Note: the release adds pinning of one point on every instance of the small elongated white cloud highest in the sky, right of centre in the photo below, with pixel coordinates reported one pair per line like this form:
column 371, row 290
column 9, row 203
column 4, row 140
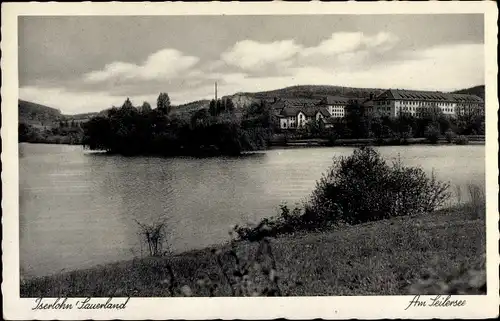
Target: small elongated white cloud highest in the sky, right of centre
column 345, row 42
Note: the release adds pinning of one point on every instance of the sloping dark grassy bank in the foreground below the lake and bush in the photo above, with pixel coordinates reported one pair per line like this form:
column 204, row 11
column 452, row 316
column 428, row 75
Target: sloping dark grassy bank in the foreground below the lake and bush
column 381, row 258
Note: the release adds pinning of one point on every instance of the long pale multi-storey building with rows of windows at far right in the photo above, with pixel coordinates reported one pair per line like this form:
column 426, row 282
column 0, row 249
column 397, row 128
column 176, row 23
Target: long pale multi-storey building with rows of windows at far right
column 394, row 102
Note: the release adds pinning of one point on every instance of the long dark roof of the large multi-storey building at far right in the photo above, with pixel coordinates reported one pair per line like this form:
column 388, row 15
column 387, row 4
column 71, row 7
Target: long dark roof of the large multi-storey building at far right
column 403, row 94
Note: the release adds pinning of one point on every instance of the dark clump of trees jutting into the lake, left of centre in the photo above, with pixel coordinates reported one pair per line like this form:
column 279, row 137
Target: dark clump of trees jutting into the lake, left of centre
column 217, row 130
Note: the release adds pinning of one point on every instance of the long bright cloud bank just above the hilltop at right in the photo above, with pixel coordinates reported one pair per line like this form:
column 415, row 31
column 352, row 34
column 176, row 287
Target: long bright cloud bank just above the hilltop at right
column 446, row 68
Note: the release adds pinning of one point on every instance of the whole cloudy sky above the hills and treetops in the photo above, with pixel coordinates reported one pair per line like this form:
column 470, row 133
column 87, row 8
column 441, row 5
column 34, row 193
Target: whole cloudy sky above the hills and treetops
column 84, row 64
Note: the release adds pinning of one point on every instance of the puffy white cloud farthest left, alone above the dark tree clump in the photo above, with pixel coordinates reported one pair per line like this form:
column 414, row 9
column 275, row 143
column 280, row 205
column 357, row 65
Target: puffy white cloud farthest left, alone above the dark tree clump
column 163, row 64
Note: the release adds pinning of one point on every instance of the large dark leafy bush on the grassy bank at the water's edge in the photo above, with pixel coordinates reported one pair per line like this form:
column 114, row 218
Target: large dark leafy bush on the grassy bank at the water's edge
column 363, row 187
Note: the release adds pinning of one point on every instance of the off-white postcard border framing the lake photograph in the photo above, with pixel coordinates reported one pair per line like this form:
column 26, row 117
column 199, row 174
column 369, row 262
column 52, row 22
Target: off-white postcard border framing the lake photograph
column 373, row 307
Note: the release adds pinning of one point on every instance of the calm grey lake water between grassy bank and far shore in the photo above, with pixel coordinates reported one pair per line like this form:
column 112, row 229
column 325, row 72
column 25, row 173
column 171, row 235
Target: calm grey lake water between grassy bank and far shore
column 77, row 208
